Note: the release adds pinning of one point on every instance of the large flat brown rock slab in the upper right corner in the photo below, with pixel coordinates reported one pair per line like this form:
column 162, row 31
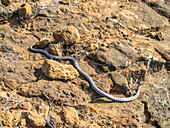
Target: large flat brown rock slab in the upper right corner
column 141, row 17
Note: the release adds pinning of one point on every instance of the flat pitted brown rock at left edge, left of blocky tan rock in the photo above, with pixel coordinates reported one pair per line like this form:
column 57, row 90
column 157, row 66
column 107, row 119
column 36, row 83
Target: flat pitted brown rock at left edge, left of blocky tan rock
column 14, row 73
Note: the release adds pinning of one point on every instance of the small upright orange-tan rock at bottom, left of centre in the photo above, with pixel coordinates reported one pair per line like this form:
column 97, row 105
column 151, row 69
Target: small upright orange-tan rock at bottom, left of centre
column 70, row 115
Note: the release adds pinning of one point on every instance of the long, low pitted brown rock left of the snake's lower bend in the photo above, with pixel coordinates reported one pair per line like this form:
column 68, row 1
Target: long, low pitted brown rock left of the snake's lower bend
column 61, row 94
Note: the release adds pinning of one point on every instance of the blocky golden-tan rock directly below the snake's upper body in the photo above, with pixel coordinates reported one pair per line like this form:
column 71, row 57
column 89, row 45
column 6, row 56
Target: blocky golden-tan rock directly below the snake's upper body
column 55, row 70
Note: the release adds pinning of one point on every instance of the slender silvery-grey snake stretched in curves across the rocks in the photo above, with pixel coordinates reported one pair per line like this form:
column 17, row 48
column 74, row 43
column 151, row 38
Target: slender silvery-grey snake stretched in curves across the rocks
column 87, row 77
